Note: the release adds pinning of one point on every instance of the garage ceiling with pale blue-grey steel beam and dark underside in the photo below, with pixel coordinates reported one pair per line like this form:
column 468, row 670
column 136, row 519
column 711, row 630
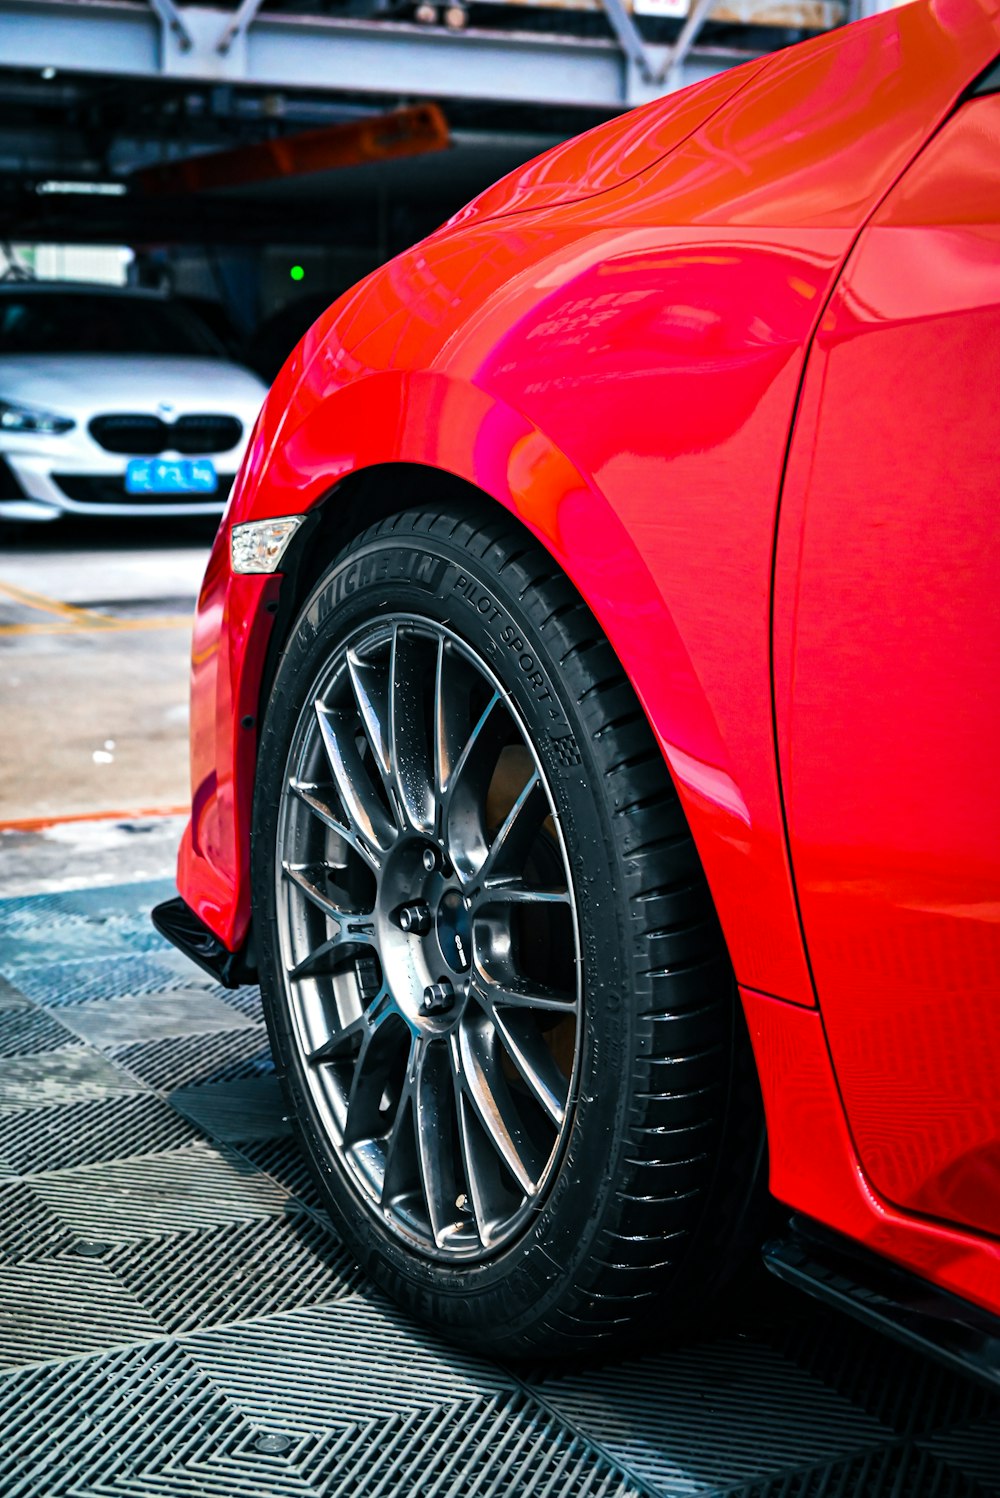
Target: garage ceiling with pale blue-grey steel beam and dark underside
column 97, row 92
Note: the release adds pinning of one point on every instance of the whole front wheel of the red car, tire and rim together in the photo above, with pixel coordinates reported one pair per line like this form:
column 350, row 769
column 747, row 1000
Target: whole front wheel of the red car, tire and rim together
column 496, row 986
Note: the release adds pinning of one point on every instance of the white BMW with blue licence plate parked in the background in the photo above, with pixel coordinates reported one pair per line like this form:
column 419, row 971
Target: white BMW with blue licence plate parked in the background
column 116, row 404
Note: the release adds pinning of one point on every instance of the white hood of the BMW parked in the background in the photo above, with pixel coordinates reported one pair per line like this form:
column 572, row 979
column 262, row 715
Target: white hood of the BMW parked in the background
column 86, row 384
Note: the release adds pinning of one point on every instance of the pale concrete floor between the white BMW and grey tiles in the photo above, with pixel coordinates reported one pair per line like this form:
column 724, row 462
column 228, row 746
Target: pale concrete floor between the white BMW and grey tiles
column 95, row 634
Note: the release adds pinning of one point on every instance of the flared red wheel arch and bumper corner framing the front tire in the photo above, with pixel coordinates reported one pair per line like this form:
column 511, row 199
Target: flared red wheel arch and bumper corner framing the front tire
column 459, row 429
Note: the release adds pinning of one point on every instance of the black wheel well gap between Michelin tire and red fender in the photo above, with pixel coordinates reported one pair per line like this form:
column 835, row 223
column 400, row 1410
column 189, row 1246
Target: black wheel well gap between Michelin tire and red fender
column 350, row 509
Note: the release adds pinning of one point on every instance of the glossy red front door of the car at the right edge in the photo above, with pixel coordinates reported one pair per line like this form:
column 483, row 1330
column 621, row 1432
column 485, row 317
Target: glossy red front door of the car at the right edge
column 887, row 667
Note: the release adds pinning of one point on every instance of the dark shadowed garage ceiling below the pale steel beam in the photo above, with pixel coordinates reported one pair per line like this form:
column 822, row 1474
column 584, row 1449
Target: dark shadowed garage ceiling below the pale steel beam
column 74, row 151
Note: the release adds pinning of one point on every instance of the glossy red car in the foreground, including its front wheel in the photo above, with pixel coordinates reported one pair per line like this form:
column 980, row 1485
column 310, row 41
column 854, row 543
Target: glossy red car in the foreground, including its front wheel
column 595, row 715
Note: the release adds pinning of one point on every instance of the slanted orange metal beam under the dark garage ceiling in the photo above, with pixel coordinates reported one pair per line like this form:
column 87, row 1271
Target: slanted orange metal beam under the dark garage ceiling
column 384, row 137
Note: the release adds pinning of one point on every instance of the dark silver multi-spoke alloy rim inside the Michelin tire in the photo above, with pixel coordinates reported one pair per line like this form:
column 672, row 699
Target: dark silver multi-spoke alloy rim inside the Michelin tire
column 429, row 938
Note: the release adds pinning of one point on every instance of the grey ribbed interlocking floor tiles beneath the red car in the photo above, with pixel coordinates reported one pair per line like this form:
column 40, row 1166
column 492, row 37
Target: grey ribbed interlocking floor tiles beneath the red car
column 179, row 1317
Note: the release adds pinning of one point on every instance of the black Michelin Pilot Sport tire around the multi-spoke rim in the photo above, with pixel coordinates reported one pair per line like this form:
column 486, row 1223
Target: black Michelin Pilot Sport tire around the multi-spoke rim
column 656, row 1196
